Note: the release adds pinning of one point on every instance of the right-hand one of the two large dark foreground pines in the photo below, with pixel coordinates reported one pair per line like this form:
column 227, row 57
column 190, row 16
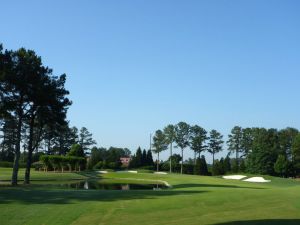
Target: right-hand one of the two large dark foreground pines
column 49, row 105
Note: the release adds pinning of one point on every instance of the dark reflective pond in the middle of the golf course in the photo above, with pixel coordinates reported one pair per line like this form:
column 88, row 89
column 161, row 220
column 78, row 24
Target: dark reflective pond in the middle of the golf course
column 98, row 184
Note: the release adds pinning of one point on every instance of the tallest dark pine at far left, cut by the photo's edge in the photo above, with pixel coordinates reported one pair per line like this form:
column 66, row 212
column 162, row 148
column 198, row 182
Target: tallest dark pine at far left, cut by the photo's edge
column 17, row 71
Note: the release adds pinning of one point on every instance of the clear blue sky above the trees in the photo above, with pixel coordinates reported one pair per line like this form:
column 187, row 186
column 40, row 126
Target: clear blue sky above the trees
column 135, row 66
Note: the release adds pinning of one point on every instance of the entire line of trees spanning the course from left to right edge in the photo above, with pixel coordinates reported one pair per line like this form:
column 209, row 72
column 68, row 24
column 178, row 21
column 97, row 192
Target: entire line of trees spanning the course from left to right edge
column 33, row 116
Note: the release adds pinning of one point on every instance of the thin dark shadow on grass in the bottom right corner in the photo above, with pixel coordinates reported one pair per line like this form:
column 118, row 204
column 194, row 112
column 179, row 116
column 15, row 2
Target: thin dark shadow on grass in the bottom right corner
column 264, row 222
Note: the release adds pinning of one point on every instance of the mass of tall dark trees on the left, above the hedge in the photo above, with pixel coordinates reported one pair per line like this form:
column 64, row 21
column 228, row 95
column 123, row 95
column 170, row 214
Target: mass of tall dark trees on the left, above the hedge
column 33, row 110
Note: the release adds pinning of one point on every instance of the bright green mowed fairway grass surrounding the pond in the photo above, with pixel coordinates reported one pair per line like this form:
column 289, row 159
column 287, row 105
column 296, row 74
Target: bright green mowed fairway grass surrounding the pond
column 192, row 200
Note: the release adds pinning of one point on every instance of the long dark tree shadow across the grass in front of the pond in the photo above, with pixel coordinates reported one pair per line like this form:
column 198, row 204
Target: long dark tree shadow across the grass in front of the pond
column 41, row 196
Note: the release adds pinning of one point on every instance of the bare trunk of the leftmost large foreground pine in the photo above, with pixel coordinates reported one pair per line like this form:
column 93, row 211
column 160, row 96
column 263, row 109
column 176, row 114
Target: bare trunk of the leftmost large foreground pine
column 14, row 179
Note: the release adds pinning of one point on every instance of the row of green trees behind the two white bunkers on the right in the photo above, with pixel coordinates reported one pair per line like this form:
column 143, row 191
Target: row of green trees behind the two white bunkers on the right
column 255, row 150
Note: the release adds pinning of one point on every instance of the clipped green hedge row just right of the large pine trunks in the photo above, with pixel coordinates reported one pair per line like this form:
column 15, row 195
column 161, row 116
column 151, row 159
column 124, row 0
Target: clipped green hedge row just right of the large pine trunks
column 58, row 162
